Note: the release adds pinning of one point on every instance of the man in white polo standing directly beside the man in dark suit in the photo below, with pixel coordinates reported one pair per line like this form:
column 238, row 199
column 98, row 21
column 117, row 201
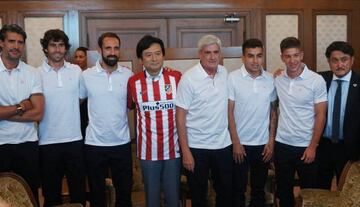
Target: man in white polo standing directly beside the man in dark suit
column 303, row 99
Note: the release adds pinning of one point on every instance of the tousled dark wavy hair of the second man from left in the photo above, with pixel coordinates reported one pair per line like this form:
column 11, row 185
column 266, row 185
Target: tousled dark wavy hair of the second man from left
column 55, row 35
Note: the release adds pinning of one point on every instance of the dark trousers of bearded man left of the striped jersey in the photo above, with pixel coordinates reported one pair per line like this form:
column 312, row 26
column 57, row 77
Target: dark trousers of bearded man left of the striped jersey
column 98, row 160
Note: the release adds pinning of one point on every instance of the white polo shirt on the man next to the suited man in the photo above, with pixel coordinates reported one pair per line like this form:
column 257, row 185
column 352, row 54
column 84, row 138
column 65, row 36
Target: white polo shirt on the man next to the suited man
column 298, row 97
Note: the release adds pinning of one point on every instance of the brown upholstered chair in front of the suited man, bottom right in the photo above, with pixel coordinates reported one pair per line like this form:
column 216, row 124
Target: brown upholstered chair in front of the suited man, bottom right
column 347, row 195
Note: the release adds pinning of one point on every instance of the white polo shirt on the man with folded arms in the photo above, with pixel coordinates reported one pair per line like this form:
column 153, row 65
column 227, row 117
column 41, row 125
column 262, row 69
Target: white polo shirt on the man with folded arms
column 16, row 86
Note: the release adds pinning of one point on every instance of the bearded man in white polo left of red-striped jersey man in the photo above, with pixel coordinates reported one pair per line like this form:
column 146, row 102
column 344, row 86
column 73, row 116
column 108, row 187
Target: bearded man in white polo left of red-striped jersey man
column 107, row 142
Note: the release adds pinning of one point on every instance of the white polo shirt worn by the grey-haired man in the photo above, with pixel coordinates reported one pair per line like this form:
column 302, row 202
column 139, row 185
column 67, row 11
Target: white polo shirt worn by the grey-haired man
column 206, row 102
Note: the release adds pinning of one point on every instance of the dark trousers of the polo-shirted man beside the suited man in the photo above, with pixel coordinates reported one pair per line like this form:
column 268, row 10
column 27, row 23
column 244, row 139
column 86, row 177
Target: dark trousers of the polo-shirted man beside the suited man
column 287, row 160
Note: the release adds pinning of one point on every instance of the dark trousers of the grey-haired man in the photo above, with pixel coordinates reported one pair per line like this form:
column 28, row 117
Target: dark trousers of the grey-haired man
column 219, row 163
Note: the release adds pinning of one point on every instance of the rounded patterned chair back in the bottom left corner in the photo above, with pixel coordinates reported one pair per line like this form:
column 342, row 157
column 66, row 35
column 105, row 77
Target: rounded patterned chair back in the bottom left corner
column 15, row 192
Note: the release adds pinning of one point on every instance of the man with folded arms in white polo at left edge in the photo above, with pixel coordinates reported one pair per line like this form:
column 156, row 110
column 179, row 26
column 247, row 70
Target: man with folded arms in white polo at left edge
column 21, row 105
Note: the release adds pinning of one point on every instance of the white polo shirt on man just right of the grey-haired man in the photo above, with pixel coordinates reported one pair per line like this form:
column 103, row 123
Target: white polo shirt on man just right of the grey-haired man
column 252, row 97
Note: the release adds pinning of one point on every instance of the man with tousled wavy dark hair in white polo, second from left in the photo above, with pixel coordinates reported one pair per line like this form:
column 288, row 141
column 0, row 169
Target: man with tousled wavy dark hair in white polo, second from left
column 61, row 145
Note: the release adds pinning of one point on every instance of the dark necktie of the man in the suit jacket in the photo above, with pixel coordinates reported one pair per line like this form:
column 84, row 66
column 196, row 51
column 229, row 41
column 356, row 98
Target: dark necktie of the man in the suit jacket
column 335, row 134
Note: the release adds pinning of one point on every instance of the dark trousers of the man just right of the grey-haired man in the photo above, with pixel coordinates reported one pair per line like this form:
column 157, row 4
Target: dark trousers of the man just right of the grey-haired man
column 258, row 175
